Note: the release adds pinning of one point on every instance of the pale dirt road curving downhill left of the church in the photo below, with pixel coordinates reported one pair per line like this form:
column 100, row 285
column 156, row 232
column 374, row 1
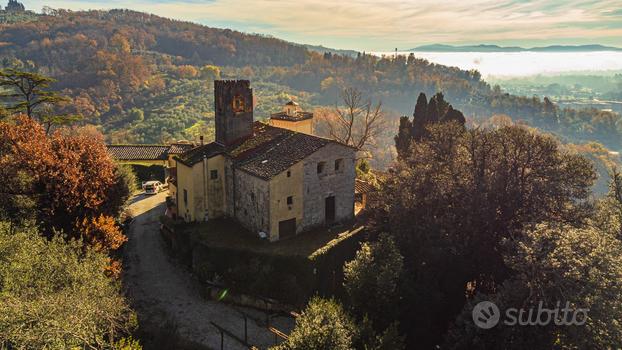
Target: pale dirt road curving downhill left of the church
column 162, row 291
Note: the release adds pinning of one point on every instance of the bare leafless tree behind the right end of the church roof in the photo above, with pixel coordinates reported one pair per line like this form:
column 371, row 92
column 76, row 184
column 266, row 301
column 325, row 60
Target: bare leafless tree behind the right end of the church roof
column 357, row 123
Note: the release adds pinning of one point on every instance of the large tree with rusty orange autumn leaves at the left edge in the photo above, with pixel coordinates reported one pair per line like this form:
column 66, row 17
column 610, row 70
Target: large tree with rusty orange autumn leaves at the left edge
column 67, row 175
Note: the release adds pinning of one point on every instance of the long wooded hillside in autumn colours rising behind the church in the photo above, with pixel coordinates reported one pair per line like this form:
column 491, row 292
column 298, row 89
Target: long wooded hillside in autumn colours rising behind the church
column 148, row 79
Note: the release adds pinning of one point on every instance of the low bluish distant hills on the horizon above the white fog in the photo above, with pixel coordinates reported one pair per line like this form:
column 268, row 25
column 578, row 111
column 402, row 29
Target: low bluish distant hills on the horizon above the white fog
column 497, row 48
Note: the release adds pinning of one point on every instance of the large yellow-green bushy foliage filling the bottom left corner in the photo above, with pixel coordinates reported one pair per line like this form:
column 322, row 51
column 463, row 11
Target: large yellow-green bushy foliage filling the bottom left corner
column 55, row 295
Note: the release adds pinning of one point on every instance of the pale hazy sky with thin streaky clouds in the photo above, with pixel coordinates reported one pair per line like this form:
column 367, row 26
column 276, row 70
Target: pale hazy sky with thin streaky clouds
column 382, row 25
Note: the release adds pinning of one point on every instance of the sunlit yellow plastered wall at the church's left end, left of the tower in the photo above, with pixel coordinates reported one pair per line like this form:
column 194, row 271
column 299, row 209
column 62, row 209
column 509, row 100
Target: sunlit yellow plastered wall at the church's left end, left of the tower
column 203, row 191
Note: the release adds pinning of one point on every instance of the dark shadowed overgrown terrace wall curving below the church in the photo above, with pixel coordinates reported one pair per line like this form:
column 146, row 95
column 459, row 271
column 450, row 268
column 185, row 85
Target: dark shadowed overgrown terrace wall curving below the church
column 289, row 279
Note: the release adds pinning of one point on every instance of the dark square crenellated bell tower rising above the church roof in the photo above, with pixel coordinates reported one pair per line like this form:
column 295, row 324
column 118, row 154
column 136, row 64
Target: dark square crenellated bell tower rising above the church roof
column 233, row 101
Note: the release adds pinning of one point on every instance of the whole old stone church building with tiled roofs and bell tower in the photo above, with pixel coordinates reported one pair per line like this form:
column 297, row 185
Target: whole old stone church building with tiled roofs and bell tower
column 275, row 178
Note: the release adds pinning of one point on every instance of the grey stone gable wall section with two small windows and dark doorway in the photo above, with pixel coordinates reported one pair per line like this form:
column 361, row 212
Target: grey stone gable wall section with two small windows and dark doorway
column 340, row 184
